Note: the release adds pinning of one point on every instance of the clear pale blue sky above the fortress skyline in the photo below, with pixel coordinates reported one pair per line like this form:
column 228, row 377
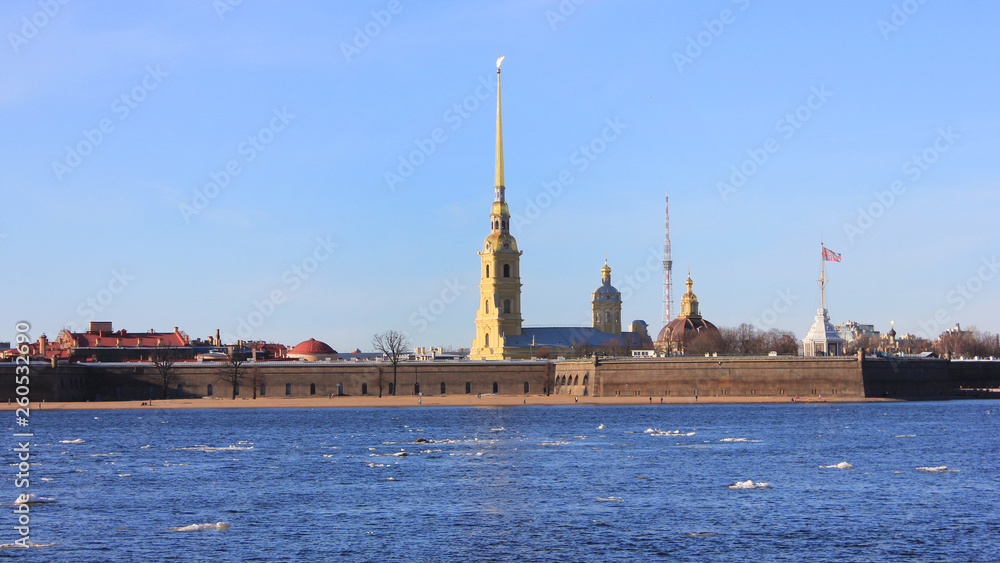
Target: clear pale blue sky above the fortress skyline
column 186, row 164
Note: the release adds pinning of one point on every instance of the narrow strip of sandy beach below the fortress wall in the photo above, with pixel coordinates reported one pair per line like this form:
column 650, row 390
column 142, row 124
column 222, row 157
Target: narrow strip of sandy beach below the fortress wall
column 428, row 401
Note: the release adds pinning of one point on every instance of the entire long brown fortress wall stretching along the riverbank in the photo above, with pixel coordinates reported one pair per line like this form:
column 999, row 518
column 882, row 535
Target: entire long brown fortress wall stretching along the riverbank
column 907, row 378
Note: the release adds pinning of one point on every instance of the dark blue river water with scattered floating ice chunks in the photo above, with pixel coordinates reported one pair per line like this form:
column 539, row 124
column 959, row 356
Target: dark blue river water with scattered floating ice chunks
column 822, row 482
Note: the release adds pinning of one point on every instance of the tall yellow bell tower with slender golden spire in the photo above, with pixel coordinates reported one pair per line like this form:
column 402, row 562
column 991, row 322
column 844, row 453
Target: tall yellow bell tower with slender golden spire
column 499, row 313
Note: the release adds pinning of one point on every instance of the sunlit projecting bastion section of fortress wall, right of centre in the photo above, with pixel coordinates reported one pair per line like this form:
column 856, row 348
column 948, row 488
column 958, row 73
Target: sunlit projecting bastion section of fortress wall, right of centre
column 717, row 376
